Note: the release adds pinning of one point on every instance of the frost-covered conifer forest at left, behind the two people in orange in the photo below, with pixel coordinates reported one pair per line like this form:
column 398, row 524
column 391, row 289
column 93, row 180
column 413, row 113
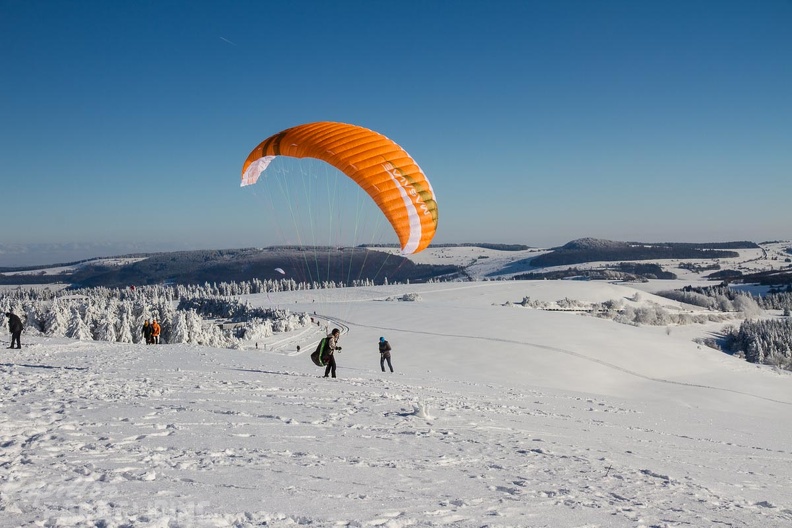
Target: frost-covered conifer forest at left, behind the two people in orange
column 185, row 313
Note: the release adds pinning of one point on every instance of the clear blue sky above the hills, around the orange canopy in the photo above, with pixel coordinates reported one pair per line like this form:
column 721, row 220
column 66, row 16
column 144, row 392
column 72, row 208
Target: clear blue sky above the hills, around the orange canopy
column 125, row 124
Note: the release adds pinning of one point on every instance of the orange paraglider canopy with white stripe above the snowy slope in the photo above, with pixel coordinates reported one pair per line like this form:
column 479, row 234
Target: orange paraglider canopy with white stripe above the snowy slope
column 377, row 164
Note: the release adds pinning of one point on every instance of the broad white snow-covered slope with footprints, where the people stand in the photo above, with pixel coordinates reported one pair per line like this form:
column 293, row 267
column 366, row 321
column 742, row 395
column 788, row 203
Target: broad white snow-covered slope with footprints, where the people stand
column 497, row 415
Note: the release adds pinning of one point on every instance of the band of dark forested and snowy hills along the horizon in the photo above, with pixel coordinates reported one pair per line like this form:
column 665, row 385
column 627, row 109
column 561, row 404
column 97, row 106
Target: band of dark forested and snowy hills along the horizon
column 617, row 261
